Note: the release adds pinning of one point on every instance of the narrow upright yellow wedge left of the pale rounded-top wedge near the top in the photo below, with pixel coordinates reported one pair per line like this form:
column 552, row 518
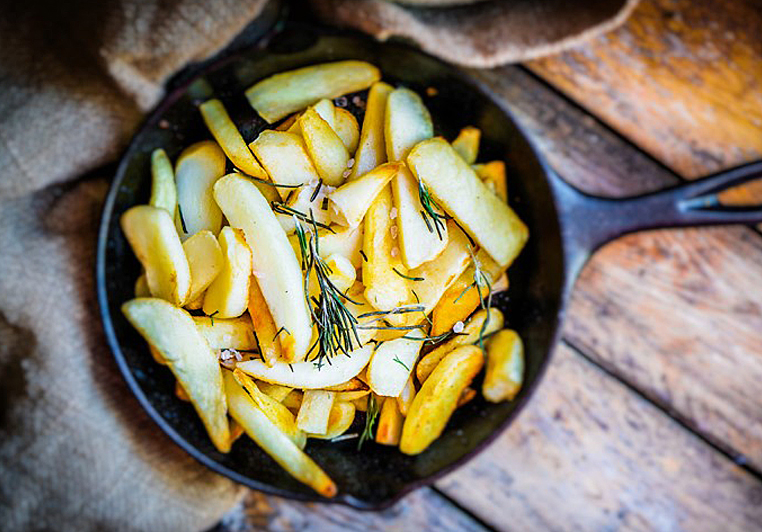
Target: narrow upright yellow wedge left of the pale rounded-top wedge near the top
column 371, row 151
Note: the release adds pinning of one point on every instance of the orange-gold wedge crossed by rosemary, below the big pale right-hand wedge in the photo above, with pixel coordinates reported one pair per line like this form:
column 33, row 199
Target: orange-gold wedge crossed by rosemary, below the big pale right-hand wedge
column 463, row 297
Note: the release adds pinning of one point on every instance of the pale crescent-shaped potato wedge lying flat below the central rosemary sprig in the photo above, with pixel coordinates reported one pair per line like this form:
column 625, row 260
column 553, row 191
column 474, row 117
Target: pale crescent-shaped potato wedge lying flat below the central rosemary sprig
column 305, row 375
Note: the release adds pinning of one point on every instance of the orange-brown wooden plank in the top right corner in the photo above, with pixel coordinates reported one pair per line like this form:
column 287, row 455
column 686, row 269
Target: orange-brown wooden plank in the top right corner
column 681, row 79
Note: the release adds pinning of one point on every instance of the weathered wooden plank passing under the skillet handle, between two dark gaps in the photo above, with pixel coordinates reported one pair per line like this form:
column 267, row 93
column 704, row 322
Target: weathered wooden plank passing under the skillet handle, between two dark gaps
column 653, row 329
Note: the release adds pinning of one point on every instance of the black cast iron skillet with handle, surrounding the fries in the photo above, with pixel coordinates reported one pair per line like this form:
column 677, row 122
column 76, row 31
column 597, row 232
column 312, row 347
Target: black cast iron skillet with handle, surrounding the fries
column 565, row 227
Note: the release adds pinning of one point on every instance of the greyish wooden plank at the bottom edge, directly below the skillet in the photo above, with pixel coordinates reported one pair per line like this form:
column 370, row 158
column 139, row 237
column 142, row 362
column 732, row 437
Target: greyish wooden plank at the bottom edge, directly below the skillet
column 421, row 510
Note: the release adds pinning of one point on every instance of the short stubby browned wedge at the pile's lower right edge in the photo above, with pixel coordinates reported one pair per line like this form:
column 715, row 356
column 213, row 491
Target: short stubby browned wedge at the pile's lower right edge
column 505, row 367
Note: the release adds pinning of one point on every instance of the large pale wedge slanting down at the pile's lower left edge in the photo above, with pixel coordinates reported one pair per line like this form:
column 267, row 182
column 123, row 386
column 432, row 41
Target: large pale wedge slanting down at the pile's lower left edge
column 172, row 332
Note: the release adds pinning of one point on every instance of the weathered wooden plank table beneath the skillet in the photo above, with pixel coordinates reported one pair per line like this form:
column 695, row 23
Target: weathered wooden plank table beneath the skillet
column 650, row 417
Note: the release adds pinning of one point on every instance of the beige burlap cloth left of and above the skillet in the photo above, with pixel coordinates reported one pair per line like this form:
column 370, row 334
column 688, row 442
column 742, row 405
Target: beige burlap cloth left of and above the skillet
column 76, row 450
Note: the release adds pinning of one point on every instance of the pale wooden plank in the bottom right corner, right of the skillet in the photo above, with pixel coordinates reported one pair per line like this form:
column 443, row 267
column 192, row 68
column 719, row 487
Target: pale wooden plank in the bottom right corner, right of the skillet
column 588, row 454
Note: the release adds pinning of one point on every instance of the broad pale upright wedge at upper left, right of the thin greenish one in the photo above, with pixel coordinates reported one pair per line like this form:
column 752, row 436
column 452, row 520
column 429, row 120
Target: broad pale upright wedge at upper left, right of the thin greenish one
column 196, row 171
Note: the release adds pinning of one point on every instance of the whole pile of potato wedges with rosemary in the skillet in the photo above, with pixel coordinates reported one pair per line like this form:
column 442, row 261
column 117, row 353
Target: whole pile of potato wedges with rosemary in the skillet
column 327, row 268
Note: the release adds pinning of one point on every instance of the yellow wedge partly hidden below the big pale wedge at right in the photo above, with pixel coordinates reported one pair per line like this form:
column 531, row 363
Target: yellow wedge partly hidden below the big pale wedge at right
column 436, row 275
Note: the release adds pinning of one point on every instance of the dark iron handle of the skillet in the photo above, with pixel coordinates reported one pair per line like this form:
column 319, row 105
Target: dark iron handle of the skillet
column 588, row 222
